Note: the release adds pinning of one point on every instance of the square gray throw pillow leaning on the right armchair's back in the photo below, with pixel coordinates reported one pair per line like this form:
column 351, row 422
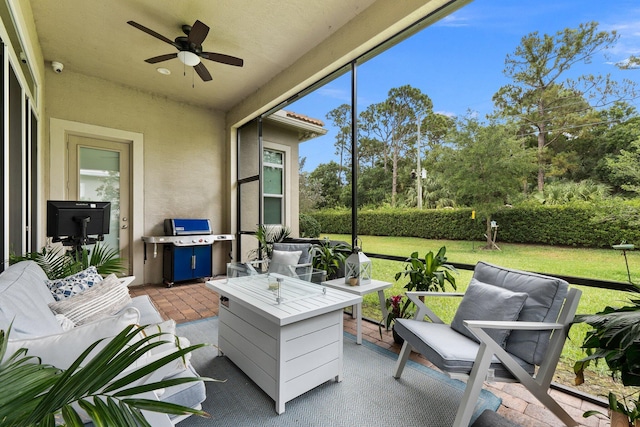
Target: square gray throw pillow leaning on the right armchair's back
column 487, row 302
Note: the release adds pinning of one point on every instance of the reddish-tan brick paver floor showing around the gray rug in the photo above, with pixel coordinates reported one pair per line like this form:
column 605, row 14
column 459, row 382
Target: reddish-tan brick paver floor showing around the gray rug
column 193, row 301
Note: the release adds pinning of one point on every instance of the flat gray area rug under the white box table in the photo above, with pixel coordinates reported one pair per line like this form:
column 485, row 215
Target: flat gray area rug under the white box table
column 367, row 396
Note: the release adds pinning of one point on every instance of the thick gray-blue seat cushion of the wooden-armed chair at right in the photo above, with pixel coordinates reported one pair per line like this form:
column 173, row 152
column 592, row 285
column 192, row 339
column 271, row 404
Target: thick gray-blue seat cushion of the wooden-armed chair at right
column 447, row 349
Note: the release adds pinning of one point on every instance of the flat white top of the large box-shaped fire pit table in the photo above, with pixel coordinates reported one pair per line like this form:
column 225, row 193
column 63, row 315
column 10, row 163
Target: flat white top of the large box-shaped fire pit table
column 299, row 300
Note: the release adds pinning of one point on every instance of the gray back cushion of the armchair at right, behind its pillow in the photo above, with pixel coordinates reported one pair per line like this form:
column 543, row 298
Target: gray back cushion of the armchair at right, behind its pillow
column 546, row 296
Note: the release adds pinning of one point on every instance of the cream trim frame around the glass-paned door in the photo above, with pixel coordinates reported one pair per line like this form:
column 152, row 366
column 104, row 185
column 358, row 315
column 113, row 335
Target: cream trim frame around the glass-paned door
column 58, row 172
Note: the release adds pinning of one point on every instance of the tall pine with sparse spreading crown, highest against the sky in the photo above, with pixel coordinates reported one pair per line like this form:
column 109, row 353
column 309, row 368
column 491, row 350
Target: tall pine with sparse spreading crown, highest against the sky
column 542, row 101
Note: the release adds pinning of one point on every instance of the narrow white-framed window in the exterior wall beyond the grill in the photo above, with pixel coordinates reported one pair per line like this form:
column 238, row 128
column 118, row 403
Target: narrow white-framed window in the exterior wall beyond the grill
column 273, row 186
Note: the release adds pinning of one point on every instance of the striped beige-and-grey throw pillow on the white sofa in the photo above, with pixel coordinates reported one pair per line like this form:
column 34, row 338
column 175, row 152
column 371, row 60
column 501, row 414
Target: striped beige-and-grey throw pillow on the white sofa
column 104, row 299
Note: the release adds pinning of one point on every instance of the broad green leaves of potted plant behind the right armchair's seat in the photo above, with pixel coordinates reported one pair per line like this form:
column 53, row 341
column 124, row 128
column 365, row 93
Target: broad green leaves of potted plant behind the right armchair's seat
column 430, row 275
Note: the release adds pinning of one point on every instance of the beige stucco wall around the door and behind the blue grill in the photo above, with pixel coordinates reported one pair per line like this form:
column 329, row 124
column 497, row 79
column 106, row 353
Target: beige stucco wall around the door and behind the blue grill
column 185, row 152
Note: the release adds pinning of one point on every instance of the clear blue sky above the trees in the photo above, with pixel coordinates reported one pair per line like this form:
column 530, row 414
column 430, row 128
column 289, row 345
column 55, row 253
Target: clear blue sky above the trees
column 458, row 61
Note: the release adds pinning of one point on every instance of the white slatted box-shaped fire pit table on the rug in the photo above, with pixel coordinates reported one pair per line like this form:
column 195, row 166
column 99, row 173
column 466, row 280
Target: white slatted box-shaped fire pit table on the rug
column 284, row 333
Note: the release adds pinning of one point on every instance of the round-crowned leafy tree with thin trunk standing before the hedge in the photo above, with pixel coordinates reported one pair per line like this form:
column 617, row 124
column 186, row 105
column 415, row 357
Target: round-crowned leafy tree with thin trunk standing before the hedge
column 484, row 165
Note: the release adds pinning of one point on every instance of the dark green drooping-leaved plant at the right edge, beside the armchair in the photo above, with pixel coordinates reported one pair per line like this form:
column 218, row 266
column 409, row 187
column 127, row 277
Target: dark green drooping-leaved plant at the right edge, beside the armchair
column 614, row 338
